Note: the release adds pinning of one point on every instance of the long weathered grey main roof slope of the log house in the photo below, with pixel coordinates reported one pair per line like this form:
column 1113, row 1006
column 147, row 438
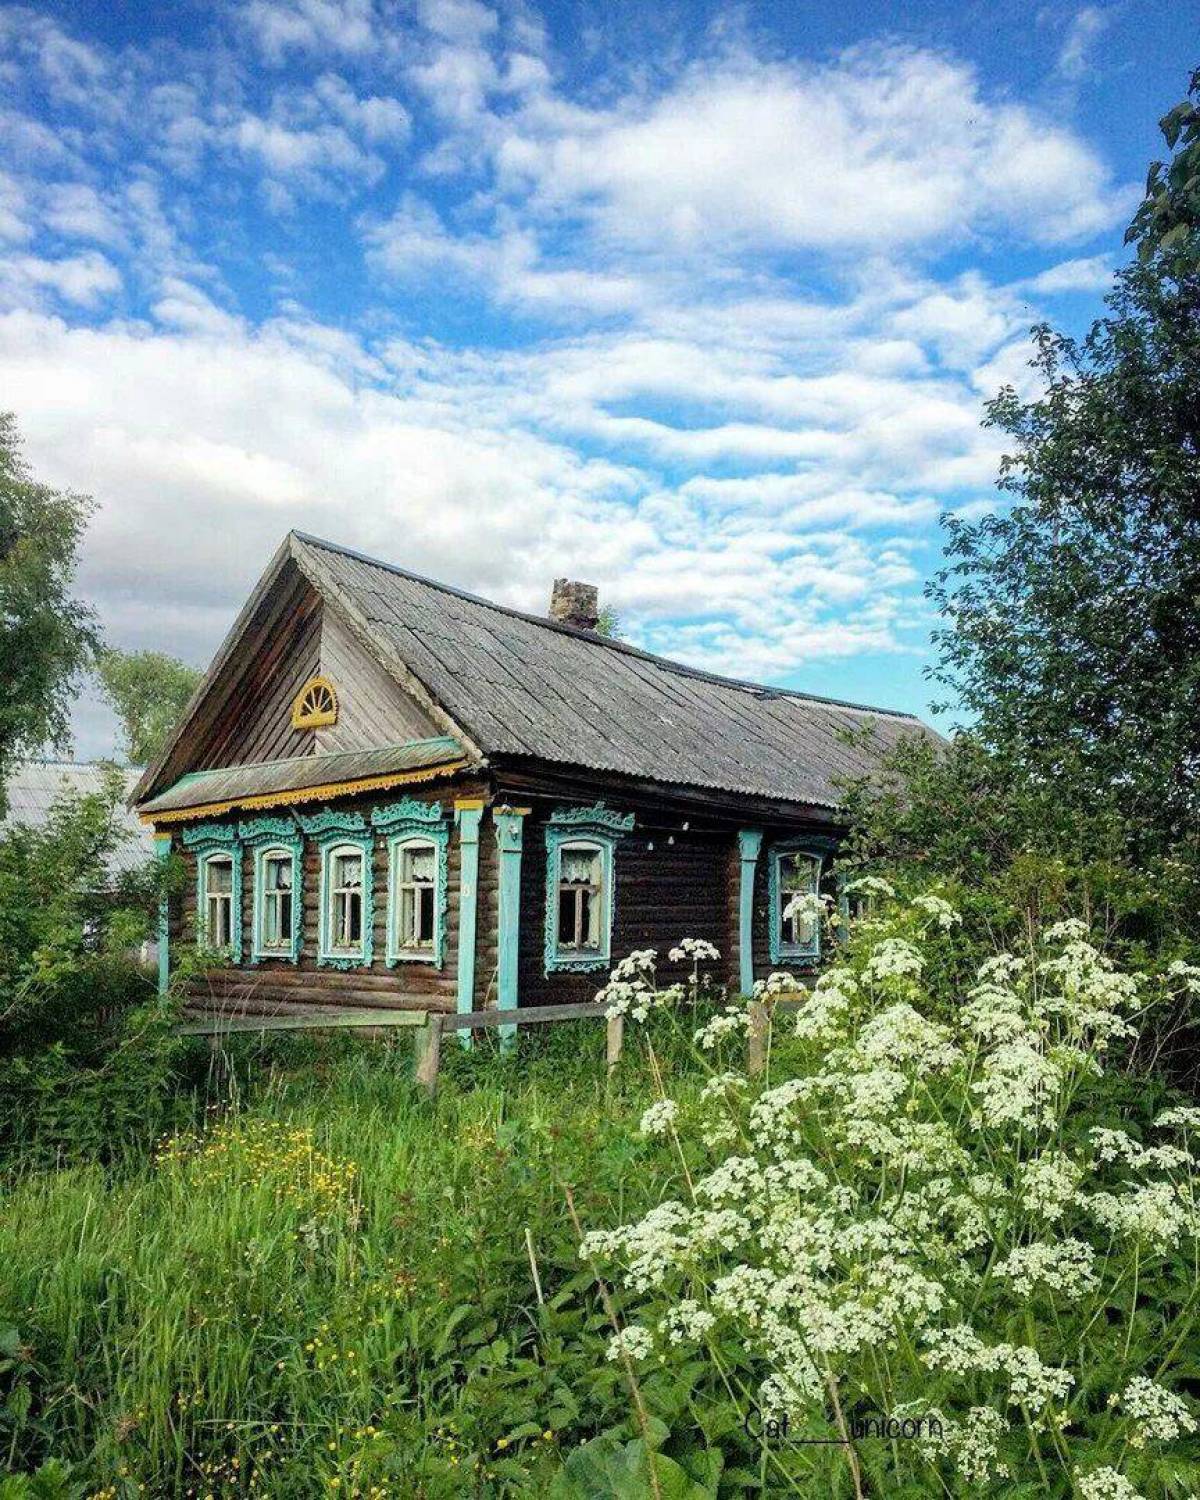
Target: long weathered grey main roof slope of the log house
column 523, row 686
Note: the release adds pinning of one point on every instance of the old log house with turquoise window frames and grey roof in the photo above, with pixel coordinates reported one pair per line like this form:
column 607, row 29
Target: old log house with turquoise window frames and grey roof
column 394, row 793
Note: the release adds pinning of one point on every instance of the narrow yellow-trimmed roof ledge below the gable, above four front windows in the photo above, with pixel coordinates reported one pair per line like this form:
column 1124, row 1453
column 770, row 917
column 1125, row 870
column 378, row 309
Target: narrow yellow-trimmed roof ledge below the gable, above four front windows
column 278, row 782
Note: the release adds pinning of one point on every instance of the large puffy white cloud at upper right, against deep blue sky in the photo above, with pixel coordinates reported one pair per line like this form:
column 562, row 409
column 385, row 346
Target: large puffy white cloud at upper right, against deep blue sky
column 886, row 148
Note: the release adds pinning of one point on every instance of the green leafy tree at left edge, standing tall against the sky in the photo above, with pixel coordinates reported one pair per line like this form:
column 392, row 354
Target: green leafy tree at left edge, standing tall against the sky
column 47, row 638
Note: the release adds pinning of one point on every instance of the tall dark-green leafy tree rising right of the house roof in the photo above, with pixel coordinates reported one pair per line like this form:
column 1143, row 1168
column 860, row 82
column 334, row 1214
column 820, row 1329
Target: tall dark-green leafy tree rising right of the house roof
column 1072, row 629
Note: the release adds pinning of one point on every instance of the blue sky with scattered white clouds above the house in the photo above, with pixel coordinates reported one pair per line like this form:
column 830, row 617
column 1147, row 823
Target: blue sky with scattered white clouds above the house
column 697, row 302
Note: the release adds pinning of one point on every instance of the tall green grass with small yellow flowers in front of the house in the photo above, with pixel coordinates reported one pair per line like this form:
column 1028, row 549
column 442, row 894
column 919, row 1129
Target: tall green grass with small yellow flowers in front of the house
column 329, row 1288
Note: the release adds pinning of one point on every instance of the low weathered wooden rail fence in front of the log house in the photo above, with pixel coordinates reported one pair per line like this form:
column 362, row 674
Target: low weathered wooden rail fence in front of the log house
column 431, row 1027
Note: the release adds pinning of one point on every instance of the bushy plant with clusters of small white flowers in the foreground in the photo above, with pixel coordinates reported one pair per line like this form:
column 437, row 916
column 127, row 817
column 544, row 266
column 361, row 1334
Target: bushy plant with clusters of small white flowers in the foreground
column 929, row 1211
